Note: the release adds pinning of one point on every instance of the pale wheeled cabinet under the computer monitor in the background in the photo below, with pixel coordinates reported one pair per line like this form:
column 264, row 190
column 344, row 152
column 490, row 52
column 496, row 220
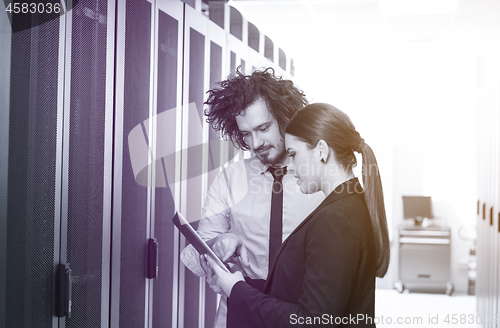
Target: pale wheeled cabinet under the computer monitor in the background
column 424, row 257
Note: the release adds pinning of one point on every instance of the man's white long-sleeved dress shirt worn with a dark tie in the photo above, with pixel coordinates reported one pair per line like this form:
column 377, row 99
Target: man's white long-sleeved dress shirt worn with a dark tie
column 239, row 201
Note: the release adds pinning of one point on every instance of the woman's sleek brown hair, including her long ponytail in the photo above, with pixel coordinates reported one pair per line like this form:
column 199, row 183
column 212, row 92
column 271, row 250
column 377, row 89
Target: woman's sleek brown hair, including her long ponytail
column 319, row 121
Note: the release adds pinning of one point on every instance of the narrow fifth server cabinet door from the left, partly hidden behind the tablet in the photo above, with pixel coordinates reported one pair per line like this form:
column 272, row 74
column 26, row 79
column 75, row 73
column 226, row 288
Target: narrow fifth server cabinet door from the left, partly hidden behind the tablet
column 194, row 157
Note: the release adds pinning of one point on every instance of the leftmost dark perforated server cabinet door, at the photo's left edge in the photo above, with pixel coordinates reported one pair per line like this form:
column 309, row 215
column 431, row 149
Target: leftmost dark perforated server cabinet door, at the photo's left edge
column 30, row 145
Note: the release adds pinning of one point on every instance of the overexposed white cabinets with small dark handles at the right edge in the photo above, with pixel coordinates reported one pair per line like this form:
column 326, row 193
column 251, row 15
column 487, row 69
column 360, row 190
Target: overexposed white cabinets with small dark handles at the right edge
column 488, row 212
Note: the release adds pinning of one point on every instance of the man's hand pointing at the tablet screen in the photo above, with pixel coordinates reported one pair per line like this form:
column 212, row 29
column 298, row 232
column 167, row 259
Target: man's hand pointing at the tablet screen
column 228, row 247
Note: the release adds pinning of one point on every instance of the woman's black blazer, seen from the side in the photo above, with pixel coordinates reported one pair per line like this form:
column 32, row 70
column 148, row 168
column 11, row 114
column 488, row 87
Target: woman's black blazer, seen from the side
column 323, row 274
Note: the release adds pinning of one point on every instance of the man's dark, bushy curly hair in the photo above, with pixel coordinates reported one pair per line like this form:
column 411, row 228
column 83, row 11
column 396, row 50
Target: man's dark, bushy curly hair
column 239, row 91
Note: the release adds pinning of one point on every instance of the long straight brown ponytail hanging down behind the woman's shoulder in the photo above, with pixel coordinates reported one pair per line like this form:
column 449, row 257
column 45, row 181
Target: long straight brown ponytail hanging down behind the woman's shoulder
column 374, row 200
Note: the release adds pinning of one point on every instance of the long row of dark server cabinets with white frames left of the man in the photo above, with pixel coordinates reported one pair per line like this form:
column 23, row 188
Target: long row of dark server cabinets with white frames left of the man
column 74, row 207
